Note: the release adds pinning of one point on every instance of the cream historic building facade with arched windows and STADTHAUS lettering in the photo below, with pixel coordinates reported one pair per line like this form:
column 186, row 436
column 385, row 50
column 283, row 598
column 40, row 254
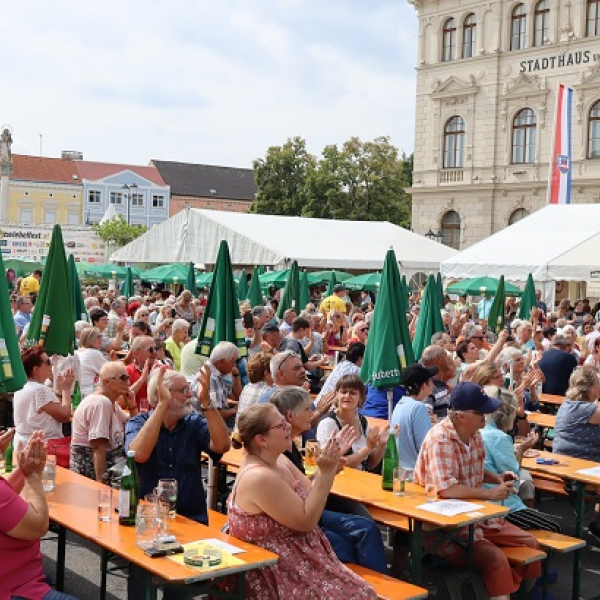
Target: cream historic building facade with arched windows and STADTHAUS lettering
column 487, row 79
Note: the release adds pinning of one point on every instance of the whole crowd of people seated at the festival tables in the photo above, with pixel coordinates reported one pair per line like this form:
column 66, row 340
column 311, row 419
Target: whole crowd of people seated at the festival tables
column 459, row 416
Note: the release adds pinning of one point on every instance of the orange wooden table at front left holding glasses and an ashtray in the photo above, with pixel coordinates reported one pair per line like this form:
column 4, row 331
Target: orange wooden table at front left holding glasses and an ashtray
column 74, row 506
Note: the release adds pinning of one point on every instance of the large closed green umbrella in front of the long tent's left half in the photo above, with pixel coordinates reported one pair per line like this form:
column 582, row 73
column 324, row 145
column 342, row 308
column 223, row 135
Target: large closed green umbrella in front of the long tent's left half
column 221, row 321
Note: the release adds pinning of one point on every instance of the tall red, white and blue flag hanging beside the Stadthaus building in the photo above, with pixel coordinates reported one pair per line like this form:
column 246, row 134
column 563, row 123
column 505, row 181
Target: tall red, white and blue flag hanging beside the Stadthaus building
column 559, row 188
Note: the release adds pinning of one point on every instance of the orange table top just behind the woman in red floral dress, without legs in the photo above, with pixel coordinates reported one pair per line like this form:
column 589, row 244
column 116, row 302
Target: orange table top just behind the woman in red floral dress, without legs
column 366, row 488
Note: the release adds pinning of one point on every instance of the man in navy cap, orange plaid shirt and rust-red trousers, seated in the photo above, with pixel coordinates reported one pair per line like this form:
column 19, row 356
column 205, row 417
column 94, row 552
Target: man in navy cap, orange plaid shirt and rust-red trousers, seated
column 451, row 460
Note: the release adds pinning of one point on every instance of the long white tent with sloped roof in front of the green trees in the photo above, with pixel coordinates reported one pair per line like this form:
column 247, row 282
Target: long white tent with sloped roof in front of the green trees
column 195, row 234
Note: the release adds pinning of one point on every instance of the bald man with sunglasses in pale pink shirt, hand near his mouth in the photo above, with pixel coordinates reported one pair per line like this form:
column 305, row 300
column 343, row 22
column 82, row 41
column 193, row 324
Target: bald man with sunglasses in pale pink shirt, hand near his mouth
column 99, row 423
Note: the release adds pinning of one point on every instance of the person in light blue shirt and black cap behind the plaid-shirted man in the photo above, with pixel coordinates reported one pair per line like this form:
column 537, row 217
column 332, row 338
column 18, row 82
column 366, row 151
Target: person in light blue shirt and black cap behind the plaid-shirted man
column 411, row 415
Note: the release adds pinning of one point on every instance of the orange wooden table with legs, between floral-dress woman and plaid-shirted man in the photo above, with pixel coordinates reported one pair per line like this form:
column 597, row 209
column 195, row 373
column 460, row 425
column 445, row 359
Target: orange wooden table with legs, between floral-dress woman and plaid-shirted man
column 366, row 488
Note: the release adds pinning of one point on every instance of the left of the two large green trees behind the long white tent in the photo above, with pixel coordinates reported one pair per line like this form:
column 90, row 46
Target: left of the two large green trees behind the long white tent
column 281, row 178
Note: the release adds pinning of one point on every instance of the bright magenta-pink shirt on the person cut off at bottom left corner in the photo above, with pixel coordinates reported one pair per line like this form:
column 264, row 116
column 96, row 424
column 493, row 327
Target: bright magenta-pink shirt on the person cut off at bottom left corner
column 21, row 569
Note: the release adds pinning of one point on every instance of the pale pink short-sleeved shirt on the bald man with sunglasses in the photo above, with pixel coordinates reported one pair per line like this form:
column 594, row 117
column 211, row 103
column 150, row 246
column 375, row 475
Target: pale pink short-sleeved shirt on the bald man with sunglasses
column 99, row 418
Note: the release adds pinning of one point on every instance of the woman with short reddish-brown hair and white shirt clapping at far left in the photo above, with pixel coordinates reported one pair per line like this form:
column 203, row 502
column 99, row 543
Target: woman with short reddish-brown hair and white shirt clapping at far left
column 36, row 407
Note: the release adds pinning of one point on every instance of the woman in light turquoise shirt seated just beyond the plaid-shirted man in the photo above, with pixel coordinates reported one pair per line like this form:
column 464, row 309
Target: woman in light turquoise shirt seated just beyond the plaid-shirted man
column 501, row 455
